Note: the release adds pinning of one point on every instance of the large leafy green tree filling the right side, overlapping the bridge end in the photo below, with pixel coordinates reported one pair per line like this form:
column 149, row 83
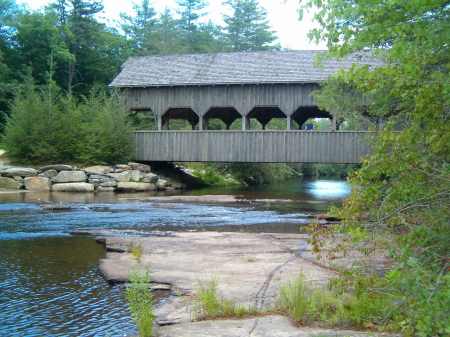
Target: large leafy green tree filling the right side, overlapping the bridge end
column 401, row 207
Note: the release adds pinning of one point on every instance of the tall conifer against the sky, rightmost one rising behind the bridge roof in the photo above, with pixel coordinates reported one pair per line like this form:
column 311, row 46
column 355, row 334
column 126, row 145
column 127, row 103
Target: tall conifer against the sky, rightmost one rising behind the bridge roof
column 248, row 28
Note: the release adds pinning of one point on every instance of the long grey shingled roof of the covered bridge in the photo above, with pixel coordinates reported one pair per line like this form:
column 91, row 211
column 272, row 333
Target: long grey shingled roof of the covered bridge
column 265, row 67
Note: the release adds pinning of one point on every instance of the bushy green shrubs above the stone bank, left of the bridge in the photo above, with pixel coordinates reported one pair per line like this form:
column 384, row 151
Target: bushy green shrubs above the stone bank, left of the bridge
column 45, row 126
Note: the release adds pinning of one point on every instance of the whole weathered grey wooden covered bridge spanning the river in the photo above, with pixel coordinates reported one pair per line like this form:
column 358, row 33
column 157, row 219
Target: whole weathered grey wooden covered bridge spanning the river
column 235, row 86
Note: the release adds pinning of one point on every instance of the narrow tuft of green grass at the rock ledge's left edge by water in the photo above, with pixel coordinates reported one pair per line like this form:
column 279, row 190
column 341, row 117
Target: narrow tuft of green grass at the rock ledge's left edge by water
column 140, row 300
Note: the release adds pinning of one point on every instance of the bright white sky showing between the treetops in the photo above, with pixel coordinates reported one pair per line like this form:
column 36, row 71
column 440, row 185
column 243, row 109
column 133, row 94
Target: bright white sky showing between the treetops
column 282, row 15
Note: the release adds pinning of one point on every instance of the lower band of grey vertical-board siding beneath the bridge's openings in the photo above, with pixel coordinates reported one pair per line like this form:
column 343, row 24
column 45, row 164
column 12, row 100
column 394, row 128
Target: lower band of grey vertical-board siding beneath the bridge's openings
column 251, row 146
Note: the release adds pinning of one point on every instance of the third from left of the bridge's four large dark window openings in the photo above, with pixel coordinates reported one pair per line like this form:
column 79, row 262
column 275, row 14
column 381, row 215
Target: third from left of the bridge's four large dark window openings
column 268, row 118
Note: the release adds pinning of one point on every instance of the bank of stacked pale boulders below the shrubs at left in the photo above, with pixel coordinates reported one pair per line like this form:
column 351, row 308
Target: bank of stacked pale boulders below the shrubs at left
column 131, row 177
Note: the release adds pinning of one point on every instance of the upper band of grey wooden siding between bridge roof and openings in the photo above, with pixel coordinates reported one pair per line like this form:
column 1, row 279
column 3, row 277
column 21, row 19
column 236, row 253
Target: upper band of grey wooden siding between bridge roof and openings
column 288, row 97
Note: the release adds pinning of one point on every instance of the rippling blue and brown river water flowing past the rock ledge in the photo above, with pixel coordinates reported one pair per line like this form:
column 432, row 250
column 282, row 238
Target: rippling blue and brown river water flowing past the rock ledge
column 50, row 284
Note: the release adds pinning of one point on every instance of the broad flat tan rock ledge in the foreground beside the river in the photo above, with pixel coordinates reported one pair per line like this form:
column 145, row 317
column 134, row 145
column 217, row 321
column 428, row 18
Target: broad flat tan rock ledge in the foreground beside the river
column 249, row 268
